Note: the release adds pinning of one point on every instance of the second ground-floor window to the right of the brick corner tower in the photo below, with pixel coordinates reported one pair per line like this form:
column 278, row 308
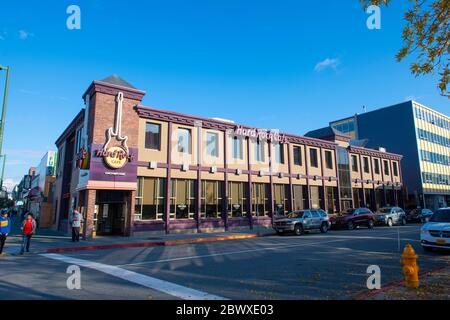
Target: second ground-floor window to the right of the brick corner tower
column 182, row 199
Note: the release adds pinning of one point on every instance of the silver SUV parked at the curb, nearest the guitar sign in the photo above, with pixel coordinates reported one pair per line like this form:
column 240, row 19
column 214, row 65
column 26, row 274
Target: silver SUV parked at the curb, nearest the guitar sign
column 304, row 220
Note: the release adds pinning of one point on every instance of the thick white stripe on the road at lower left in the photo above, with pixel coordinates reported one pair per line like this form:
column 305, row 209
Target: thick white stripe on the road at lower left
column 140, row 279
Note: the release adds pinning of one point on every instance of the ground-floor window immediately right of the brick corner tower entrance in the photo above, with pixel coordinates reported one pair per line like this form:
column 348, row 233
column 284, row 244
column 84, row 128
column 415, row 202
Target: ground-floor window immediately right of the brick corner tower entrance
column 150, row 196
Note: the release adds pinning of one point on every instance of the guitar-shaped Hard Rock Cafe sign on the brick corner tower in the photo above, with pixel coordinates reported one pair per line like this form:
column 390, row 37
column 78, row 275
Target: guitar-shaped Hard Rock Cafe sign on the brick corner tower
column 117, row 156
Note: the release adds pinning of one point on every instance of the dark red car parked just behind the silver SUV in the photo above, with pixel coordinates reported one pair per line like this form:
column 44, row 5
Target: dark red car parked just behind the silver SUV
column 353, row 218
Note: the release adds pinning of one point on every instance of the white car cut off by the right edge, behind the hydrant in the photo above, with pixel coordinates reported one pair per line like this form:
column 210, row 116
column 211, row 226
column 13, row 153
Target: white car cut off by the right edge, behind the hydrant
column 435, row 234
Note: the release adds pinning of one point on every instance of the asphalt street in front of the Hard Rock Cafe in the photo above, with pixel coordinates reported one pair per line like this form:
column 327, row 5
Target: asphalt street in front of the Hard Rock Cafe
column 313, row 266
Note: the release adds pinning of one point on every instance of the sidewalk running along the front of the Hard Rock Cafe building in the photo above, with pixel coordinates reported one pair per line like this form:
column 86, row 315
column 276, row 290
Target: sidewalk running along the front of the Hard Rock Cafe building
column 47, row 241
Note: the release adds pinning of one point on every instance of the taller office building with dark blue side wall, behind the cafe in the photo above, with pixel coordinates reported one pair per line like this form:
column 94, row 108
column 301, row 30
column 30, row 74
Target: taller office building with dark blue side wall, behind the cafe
column 422, row 136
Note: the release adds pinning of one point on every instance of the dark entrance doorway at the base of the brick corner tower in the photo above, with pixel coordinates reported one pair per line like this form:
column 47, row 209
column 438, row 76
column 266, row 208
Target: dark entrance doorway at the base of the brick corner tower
column 111, row 220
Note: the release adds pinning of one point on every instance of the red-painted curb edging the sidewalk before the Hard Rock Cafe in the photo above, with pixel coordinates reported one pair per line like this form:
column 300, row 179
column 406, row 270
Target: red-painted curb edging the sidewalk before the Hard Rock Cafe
column 154, row 243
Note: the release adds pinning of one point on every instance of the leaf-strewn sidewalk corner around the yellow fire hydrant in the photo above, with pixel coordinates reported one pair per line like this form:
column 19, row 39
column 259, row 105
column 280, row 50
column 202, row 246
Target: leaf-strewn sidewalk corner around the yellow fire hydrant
column 434, row 285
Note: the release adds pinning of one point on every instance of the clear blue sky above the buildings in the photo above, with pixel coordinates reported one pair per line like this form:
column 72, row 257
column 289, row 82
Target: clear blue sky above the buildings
column 293, row 65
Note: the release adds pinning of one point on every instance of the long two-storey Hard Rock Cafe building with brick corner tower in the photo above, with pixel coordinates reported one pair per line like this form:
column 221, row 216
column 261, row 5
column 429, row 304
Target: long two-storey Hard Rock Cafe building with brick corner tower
column 129, row 168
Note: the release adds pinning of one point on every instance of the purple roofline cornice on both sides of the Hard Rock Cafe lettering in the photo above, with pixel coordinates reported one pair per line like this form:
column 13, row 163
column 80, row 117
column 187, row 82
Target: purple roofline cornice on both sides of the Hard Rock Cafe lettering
column 165, row 115
